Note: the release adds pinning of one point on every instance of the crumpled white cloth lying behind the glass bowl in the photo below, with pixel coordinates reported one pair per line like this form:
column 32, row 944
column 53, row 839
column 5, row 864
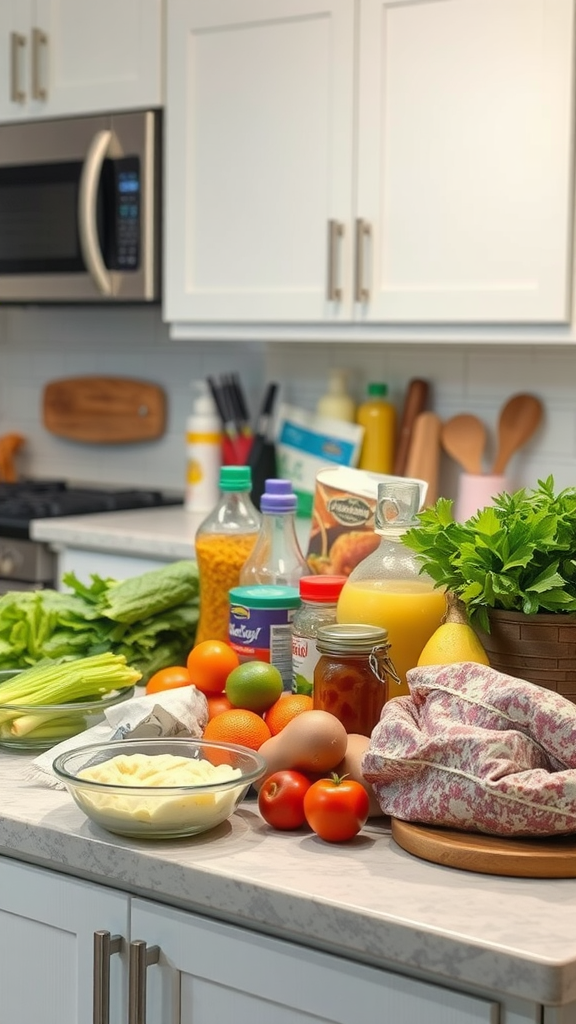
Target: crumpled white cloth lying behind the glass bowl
column 182, row 712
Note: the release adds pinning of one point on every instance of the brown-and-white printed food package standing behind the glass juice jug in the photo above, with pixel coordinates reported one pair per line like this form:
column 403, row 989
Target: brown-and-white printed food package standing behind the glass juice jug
column 343, row 520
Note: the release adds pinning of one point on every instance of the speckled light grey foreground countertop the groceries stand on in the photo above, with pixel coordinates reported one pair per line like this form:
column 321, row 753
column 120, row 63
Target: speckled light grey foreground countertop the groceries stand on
column 366, row 900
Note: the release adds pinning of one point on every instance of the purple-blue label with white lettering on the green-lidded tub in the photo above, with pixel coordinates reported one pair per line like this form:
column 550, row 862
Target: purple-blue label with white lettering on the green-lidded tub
column 264, row 635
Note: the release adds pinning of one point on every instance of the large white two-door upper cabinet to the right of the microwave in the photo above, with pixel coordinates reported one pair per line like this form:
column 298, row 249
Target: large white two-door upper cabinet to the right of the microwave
column 369, row 162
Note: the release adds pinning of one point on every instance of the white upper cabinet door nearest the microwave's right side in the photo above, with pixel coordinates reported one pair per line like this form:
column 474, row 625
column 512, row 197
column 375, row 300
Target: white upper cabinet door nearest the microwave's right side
column 260, row 131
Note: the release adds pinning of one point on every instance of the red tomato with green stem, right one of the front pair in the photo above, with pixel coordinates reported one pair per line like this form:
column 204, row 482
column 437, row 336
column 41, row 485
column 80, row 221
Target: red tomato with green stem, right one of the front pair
column 337, row 808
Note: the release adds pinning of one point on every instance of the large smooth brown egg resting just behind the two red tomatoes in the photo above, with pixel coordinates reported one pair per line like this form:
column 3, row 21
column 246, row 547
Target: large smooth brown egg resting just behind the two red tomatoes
column 315, row 743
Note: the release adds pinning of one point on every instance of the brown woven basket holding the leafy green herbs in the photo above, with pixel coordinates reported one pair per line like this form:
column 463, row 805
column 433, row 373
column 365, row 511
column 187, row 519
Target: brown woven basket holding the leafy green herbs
column 541, row 649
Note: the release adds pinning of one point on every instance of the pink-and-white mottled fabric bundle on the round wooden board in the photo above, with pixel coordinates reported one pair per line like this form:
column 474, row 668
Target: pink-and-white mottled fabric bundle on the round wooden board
column 477, row 750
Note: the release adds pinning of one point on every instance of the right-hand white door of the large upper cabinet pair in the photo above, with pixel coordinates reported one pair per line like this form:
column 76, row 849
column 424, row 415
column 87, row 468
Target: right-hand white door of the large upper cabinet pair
column 466, row 124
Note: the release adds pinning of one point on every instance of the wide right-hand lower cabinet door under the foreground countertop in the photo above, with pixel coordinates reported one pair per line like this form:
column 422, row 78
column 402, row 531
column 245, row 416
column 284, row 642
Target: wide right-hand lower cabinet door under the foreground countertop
column 213, row 972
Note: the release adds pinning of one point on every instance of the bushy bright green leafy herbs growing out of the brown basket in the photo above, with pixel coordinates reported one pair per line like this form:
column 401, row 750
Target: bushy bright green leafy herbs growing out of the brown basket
column 519, row 554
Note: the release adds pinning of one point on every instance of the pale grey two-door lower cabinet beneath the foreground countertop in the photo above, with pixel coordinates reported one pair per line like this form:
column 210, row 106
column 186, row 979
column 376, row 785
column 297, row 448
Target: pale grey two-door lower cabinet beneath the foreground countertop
column 199, row 972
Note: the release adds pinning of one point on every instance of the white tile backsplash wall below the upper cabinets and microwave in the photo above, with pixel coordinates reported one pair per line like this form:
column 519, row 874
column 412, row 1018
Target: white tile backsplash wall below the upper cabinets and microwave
column 38, row 345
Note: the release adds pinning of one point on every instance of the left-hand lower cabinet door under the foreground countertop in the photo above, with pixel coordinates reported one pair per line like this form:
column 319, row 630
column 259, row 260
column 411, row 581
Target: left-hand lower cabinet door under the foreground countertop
column 48, row 923
